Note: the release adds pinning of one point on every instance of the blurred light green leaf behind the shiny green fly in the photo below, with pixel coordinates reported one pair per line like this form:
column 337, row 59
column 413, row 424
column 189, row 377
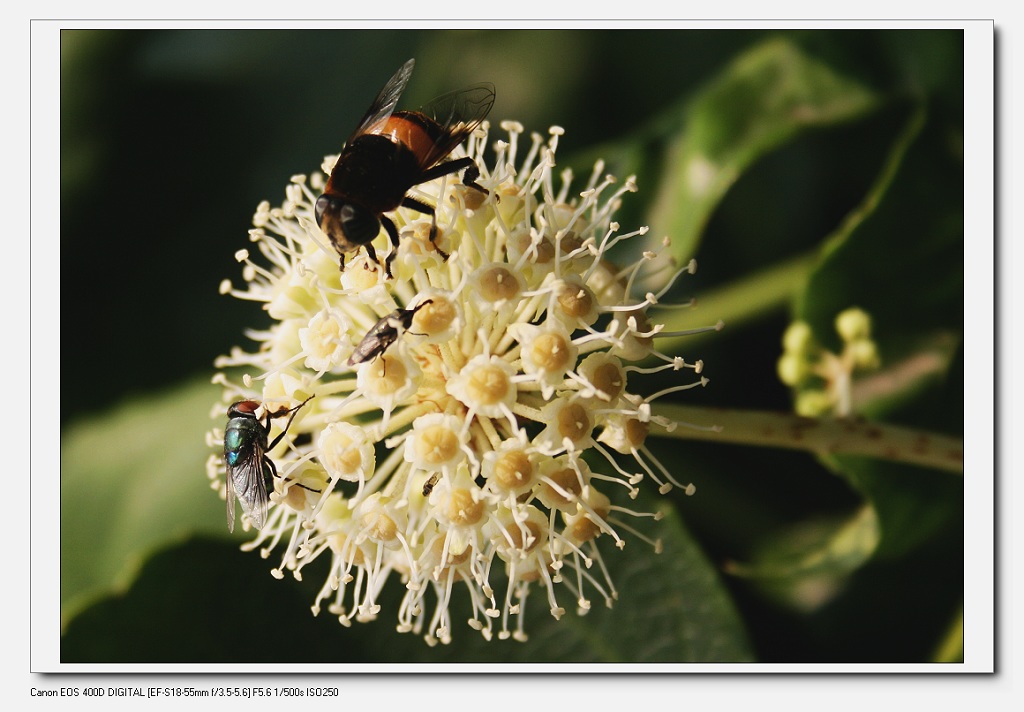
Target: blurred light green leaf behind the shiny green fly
column 132, row 482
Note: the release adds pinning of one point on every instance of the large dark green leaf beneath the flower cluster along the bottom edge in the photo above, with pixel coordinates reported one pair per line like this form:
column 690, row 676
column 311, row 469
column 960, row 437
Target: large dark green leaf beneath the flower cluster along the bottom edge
column 206, row 602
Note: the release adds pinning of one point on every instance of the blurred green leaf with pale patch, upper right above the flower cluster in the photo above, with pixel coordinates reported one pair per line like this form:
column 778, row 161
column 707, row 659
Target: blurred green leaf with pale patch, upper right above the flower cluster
column 764, row 99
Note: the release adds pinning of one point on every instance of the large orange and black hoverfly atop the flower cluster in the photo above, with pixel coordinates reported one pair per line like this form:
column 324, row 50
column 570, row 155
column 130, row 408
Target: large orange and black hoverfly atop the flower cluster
column 392, row 152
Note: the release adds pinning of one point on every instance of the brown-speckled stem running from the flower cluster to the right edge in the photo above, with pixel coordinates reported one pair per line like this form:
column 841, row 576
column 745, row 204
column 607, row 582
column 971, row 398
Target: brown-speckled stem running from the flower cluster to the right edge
column 820, row 436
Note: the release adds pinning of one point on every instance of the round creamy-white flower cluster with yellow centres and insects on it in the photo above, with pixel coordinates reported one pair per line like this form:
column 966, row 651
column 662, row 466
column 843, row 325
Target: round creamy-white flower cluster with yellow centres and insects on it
column 485, row 440
